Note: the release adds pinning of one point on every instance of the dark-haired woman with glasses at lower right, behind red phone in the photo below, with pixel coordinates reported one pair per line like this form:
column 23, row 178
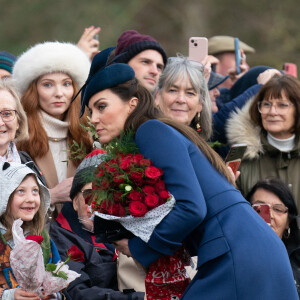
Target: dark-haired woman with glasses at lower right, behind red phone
column 283, row 216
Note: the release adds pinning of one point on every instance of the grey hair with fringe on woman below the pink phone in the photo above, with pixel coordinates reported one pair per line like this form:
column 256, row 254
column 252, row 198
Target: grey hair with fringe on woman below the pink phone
column 181, row 68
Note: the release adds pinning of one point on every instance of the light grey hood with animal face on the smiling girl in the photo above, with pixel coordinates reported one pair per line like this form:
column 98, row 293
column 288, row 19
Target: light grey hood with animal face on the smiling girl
column 11, row 176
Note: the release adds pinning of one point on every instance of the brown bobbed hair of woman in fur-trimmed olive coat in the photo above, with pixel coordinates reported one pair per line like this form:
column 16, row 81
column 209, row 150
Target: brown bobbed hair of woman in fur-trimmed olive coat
column 275, row 88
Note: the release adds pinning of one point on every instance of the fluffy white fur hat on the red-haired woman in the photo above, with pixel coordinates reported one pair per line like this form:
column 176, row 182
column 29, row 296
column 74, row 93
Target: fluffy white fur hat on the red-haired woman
column 50, row 57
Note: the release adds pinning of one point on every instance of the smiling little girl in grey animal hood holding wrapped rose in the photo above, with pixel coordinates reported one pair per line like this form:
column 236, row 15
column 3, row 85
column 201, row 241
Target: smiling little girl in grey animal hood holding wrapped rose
column 23, row 196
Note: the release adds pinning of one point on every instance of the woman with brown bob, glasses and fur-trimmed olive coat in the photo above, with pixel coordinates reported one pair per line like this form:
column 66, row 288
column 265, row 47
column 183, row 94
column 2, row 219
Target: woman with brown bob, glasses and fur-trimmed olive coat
column 270, row 126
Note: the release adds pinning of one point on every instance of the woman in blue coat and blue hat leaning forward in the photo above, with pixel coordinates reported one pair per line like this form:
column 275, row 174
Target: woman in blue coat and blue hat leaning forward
column 210, row 216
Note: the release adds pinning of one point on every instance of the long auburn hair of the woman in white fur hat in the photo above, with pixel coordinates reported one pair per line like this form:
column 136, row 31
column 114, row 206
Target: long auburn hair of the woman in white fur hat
column 37, row 145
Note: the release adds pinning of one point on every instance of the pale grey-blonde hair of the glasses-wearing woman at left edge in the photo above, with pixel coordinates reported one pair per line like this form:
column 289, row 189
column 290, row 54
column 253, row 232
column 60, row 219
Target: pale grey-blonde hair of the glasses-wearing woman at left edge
column 22, row 132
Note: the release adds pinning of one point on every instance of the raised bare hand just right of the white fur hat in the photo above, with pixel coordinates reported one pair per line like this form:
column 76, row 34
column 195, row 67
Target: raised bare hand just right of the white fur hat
column 87, row 43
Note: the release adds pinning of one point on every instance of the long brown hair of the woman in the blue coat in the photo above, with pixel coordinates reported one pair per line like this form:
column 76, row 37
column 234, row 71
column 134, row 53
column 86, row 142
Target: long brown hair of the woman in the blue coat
column 145, row 110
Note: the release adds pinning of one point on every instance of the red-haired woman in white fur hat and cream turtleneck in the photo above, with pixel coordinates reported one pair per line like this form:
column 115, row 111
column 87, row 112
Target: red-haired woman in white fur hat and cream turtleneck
column 48, row 75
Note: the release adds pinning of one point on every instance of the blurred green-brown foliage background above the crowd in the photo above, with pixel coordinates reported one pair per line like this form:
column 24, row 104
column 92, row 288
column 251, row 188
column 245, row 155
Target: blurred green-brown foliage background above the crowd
column 270, row 26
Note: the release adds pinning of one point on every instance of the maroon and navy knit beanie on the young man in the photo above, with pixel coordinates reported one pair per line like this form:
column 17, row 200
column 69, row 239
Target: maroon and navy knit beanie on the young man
column 131, row 43
